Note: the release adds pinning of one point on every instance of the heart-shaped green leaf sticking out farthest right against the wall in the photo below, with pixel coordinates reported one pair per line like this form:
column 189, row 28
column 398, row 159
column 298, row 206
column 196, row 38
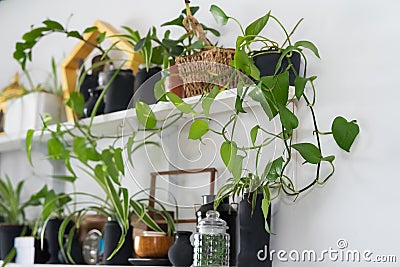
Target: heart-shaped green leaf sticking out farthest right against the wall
column 344, row 132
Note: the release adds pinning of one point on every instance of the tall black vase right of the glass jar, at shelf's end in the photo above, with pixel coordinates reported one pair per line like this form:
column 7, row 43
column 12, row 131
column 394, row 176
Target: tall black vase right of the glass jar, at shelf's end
column 253, row 237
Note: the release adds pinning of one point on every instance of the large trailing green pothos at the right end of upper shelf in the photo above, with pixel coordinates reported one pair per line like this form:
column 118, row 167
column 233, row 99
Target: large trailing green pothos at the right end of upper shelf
column 272, row 93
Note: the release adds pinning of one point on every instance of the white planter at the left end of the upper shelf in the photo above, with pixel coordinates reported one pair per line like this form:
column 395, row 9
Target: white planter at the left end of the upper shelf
column 24, row 113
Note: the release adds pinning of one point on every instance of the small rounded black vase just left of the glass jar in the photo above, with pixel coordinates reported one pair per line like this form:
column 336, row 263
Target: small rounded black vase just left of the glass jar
column 181, row 252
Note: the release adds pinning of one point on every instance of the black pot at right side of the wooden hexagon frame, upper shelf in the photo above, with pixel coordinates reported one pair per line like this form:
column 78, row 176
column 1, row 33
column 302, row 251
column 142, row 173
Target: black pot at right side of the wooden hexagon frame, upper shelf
column 120, row 91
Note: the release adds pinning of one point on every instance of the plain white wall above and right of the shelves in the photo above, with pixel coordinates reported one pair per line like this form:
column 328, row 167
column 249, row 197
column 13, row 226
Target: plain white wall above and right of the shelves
column 357, row 79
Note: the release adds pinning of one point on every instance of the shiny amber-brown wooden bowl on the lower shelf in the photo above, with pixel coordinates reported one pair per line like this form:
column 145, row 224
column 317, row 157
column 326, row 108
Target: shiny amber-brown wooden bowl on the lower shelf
column 152, row 246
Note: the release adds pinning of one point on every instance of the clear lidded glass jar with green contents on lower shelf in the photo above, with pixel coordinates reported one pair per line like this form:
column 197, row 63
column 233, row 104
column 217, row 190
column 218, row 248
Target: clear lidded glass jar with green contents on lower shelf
column 211, row 242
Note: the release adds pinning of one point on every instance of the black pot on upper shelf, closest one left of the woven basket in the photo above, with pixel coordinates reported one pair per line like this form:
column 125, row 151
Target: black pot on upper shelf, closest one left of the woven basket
column 144, row 84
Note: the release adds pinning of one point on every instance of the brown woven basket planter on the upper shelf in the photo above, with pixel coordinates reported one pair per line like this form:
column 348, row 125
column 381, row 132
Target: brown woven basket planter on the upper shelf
column 202, row 70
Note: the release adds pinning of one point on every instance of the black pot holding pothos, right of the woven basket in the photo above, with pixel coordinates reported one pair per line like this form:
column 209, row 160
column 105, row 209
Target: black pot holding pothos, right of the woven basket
column 266, row 63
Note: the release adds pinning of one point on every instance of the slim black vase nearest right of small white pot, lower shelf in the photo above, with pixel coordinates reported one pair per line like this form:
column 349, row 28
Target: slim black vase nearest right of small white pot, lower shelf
column 52, row 229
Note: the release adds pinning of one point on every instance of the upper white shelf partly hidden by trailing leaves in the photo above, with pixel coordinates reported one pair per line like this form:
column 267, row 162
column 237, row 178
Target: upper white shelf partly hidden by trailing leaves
column 112, row 123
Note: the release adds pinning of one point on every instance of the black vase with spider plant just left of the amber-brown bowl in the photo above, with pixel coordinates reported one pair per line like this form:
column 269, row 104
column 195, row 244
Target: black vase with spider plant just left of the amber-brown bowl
column 111, row 235
